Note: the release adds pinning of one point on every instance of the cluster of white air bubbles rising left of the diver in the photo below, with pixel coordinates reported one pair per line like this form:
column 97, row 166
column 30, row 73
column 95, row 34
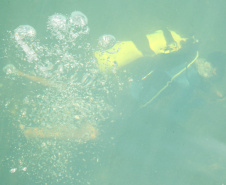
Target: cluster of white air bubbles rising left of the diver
column 72, row 92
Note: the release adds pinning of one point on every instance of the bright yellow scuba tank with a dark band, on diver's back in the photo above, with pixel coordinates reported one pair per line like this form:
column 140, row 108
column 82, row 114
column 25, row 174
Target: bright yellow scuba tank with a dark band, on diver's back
column 123, row 53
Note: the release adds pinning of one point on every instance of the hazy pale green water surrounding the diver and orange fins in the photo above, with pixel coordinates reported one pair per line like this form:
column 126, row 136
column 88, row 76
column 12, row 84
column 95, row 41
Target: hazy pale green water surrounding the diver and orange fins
column 178, row 139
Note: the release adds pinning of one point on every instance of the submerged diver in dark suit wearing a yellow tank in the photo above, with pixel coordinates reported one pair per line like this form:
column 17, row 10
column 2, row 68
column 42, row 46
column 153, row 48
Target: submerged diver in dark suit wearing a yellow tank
column 166, row 68
